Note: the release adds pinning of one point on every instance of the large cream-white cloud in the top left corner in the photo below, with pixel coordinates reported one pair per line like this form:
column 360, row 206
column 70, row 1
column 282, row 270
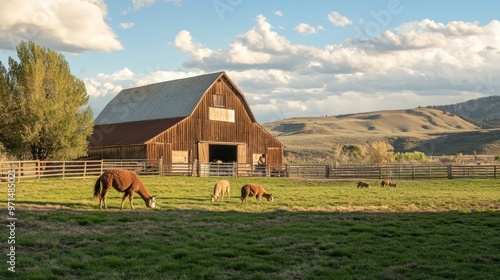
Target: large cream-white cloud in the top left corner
column 63, row 25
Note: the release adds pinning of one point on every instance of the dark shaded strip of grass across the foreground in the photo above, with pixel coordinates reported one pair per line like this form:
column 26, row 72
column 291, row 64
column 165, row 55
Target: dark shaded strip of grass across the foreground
column 196, row 243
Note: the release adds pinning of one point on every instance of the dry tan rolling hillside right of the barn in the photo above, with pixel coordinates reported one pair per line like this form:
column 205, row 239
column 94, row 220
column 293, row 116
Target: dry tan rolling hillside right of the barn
column 431, row 131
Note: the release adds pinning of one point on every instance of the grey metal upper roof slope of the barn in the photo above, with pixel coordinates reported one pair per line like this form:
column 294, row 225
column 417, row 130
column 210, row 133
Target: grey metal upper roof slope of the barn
column 170, row 99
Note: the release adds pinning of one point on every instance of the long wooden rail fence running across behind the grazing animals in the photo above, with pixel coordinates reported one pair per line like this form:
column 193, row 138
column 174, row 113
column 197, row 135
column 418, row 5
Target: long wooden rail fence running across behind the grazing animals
column 92, row 168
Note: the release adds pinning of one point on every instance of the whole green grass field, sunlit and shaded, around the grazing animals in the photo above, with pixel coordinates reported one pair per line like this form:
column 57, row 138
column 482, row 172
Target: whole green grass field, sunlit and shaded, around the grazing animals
column 315, row 229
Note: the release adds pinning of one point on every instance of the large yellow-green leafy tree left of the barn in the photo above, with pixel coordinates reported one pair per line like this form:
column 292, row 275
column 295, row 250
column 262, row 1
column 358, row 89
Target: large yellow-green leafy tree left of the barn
column 46, row 114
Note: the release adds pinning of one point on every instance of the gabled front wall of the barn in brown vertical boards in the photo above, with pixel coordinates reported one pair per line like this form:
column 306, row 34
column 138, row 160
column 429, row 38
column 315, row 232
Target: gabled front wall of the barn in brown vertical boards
column 185, row 135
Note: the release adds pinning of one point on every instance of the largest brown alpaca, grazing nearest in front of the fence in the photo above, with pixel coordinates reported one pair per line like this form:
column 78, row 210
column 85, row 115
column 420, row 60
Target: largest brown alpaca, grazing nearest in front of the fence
column 123, row 181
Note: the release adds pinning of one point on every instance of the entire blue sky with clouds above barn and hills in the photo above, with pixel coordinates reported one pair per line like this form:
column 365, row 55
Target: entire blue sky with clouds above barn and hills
column 289, row 58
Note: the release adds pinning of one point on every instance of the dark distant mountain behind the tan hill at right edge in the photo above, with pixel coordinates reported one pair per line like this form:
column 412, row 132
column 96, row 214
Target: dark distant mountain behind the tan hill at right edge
column 484, row 111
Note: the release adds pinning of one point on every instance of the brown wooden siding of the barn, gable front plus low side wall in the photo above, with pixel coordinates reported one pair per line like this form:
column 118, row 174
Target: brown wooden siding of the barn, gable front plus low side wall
column 188, row 133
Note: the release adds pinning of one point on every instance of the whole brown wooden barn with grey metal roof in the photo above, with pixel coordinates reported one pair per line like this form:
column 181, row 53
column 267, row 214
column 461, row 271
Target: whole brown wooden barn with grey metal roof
column 198, row 119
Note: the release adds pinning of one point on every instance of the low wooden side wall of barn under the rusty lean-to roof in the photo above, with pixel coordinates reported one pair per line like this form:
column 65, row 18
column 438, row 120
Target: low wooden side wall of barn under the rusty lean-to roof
column 118, row 152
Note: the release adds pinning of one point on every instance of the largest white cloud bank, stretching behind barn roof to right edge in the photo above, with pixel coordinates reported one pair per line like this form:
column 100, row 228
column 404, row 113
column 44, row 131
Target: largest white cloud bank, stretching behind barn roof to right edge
column 416, row 64
